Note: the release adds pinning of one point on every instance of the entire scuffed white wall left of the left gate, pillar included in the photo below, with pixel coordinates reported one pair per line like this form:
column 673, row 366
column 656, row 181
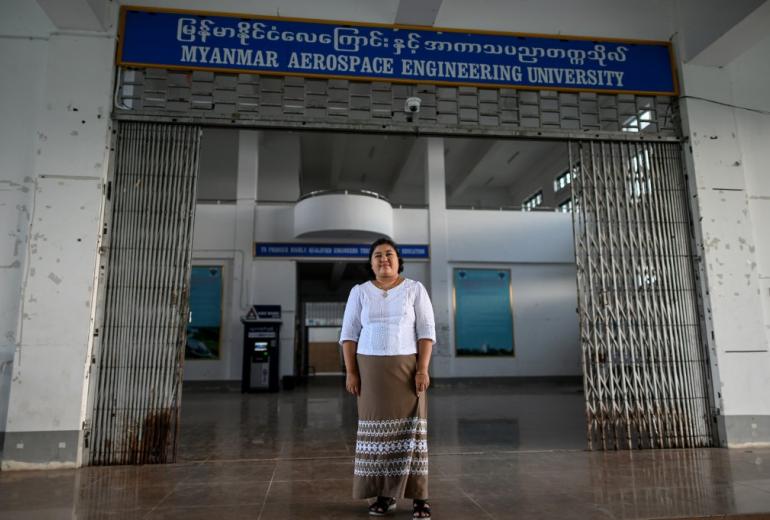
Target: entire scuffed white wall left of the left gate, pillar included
column 55, row 117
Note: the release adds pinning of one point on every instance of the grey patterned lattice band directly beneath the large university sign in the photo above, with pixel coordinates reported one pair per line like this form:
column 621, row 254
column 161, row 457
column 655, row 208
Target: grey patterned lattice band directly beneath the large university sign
column 291, row 102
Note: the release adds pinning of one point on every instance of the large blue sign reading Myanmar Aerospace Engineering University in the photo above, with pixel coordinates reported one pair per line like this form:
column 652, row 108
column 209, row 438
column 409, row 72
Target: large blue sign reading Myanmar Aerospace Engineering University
column 269, row 45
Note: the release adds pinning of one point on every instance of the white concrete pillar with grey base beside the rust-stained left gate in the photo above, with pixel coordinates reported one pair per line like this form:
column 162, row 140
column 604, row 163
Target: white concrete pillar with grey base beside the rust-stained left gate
column 49, row 380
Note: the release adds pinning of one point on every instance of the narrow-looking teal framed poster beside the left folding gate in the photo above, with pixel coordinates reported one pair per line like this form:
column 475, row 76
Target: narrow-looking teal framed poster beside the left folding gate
column 204, row 327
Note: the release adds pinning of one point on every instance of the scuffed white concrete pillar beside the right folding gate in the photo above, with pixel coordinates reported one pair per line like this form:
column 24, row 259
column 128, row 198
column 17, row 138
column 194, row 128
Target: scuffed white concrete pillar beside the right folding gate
column 727, row 246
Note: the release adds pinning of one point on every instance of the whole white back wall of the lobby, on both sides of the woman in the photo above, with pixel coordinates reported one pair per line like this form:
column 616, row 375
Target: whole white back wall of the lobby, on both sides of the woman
column 537, row 247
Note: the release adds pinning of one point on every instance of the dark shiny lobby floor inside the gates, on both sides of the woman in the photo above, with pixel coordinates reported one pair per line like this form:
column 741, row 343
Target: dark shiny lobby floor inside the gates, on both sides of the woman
column 320, row 419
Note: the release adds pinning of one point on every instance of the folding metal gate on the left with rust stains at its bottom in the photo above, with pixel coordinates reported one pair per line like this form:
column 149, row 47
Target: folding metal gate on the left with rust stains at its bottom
column 139, row 370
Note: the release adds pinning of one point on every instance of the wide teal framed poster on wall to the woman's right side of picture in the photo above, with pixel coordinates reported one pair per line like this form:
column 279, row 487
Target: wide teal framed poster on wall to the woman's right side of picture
column 483, row 310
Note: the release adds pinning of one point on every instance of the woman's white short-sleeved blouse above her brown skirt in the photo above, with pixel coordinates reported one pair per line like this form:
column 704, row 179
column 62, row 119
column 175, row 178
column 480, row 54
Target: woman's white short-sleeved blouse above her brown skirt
column 388, row 325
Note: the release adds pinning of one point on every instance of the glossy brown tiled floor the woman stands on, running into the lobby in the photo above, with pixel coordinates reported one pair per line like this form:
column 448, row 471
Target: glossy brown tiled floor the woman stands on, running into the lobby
column 497, row 451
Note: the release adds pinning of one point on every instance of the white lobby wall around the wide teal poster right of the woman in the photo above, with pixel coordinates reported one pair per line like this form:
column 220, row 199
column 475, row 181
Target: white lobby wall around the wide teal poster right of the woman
column 538, row 249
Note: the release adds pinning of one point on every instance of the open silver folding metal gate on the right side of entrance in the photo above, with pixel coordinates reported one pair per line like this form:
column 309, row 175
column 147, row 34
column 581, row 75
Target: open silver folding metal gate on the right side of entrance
column 644, row 362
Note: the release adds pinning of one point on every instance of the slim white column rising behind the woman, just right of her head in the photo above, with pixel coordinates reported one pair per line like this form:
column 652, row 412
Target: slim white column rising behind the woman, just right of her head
column 440, row 286
